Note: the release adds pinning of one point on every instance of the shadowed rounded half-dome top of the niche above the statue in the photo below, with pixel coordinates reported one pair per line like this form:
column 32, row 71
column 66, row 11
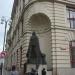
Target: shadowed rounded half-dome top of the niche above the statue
column 39, row 23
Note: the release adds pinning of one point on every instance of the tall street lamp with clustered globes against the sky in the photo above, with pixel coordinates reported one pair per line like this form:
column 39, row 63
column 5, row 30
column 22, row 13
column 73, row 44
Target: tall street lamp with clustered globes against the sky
column 6, row 22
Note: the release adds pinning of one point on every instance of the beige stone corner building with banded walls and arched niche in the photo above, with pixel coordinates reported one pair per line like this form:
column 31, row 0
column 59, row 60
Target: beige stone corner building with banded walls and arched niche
column 54, row 23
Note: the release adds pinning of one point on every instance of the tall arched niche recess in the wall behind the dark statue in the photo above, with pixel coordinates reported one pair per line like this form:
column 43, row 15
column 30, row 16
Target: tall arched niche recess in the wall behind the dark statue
column 40, row 23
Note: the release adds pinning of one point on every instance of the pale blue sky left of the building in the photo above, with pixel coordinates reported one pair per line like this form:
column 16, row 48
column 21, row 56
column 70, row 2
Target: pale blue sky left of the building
column 5, row 10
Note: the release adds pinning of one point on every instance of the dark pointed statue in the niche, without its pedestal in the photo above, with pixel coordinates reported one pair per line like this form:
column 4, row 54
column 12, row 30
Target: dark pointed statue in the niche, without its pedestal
column 34, row 55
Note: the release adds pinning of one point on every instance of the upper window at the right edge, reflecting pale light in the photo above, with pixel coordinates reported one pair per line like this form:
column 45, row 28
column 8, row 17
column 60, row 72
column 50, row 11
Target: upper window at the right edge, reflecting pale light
column 71, row 17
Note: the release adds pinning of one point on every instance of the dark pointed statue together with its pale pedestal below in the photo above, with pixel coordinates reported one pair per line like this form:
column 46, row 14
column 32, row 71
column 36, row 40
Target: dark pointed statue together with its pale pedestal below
column 36, row 62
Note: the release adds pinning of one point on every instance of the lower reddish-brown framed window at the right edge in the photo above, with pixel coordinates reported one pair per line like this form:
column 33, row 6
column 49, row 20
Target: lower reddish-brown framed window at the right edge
column 72, row 52
